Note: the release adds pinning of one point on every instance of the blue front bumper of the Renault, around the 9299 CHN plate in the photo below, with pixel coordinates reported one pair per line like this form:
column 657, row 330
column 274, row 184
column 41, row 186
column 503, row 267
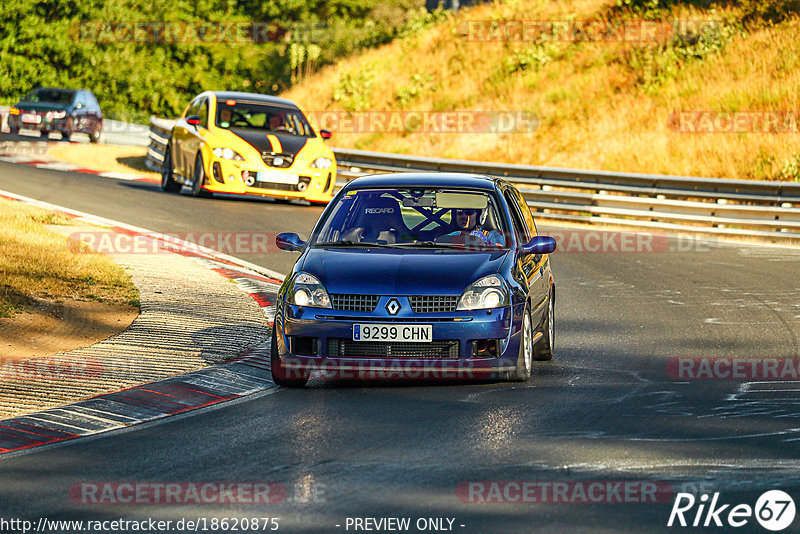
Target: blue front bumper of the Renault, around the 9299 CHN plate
column 331, row 330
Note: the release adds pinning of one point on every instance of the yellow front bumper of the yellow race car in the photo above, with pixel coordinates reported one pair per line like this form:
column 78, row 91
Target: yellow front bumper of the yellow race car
column 226, row 176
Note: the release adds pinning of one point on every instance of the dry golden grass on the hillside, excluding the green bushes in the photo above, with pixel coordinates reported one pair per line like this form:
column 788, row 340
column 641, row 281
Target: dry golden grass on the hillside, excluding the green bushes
column 595, row 113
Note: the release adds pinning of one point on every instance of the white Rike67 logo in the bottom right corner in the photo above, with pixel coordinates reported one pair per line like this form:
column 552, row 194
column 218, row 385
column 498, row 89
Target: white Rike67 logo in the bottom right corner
column 774, row 510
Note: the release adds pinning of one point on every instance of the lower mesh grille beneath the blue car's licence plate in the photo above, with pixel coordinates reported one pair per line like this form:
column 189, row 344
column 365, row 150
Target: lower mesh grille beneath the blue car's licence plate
column 346, row 348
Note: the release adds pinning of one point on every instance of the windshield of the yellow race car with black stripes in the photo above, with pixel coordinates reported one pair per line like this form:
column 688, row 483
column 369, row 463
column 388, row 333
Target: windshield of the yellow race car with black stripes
column 262, row 117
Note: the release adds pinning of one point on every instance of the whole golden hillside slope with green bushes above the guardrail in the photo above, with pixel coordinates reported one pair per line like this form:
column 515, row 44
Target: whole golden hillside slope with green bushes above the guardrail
column 602, row 103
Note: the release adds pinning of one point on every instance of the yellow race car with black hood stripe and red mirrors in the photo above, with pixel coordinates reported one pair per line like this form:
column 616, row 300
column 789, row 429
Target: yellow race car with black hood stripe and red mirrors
column 248, row 144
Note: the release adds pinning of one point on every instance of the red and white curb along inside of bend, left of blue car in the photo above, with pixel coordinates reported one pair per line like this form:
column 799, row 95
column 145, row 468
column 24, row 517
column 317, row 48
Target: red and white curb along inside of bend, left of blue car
column 245, row 374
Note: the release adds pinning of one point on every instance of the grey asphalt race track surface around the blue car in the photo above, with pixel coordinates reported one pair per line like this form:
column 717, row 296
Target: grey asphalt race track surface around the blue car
column 609, row 408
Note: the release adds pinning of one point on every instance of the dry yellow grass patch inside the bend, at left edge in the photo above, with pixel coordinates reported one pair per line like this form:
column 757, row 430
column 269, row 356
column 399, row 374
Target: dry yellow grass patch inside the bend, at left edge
column 36, row 262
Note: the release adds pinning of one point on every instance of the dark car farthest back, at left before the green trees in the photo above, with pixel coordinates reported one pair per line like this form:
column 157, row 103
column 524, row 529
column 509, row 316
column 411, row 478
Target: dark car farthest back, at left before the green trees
column 66, row 111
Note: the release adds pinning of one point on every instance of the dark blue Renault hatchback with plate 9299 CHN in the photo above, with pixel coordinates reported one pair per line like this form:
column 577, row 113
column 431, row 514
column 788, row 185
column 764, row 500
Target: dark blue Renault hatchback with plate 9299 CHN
column 429, row 275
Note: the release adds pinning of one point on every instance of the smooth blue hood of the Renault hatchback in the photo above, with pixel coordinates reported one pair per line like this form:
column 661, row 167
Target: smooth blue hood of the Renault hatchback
column 394, row 272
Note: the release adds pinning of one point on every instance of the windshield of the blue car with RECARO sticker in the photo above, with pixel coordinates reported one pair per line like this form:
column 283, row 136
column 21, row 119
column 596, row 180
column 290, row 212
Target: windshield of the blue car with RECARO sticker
column 414, row 218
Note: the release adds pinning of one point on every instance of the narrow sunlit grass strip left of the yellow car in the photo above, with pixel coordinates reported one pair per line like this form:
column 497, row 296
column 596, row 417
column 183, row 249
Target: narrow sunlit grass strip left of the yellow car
column 106, row 158
